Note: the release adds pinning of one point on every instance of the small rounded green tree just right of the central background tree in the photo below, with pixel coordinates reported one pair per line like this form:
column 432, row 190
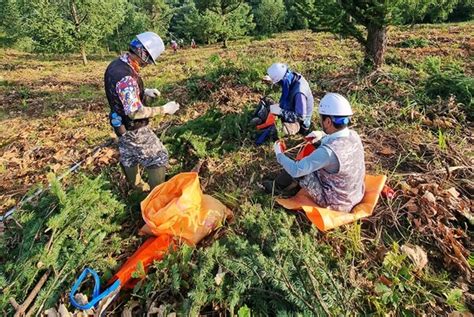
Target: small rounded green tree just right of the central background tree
column 269, row 16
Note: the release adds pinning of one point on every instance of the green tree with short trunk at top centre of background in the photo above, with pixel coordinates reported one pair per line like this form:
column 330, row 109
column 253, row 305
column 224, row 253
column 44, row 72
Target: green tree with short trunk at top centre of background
column 226, row 18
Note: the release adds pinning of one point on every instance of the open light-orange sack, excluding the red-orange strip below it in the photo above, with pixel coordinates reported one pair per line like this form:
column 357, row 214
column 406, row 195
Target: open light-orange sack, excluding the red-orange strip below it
column 179, row 208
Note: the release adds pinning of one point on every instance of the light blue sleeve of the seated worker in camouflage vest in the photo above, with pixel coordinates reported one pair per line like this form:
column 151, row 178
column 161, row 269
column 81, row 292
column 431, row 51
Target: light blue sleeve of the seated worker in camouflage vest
column 322, row 157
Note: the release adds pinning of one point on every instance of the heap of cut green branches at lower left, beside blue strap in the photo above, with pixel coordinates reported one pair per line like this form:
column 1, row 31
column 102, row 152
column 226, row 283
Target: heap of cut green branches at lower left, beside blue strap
column 64, row 233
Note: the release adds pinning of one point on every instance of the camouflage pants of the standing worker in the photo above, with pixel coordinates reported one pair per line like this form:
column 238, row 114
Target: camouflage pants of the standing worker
column 143, row 147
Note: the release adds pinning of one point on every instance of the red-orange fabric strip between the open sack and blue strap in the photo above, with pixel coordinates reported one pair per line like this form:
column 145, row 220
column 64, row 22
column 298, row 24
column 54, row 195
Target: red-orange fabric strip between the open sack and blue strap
column 152, row 250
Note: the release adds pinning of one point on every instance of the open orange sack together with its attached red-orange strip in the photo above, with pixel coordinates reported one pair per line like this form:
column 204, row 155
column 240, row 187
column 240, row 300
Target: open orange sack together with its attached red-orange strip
column 174, row 209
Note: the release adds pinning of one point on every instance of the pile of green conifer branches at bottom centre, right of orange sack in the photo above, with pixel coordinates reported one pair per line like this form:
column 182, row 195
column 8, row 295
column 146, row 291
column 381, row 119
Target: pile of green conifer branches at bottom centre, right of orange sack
column 271, row 266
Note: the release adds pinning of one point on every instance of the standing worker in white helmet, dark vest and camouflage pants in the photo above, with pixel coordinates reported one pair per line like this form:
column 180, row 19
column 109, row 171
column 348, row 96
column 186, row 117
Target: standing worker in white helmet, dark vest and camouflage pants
column 130, row 116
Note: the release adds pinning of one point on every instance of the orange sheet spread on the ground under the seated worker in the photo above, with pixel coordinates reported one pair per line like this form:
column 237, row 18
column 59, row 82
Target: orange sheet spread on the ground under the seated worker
column 325, row 219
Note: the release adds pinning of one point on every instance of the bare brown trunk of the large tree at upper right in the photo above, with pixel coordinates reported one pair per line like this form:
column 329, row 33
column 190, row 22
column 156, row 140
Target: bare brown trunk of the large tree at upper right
column 376, row 44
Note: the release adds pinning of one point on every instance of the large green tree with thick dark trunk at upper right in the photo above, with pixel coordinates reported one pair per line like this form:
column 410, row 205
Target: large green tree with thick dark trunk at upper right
column 367, row 20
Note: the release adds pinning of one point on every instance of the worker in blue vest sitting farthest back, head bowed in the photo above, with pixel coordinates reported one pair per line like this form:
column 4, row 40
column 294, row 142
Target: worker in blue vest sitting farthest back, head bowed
column 295, row 107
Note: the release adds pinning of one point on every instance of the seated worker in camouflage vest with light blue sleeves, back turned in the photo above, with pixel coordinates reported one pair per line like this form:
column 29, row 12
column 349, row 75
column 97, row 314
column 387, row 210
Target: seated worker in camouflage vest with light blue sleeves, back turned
column 333, row 174
